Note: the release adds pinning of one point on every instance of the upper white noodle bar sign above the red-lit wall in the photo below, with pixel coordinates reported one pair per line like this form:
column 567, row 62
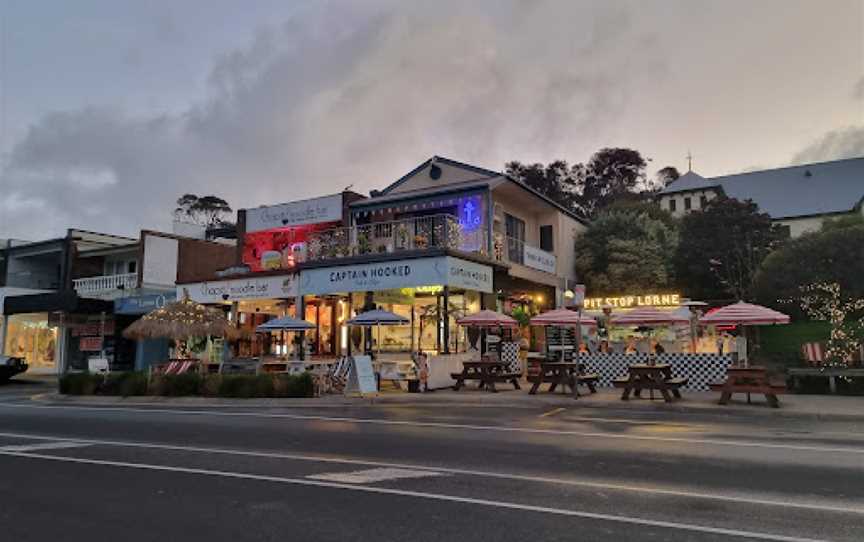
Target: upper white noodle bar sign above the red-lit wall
column 295, row 213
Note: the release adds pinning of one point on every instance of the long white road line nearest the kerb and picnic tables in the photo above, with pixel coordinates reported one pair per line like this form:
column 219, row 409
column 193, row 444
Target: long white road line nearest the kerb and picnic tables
column 859, row 450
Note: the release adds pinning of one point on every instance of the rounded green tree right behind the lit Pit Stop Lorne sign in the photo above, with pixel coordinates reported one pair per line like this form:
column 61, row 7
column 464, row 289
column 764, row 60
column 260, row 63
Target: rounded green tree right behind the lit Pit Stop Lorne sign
column 627, row 248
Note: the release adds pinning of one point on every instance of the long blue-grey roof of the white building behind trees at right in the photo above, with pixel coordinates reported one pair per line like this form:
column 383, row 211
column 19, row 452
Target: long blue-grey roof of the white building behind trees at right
column 795, row 191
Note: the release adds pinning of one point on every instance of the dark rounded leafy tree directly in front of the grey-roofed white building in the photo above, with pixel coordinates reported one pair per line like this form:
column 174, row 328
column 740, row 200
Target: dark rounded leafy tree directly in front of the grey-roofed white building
column 722, row 247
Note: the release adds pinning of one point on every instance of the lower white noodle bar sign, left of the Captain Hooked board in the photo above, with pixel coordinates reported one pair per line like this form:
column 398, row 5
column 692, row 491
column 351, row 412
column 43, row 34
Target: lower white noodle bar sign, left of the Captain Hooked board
column 220, row 291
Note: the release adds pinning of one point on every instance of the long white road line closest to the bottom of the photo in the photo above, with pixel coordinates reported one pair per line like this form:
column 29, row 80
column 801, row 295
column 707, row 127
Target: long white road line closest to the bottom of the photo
column 423, row 495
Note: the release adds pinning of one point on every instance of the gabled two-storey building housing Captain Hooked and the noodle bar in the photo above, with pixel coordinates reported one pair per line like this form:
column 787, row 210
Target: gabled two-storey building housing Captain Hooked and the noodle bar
column 444, row 240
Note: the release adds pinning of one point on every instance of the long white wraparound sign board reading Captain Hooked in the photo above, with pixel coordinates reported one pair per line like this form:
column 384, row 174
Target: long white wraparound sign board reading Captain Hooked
column 442, row 270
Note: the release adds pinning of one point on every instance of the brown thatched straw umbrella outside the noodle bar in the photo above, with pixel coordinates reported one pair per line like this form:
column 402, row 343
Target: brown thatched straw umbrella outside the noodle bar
column 181, row 320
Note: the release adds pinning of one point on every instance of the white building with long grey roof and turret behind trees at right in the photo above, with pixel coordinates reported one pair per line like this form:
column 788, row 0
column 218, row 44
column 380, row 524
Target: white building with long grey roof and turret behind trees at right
column 798, row 197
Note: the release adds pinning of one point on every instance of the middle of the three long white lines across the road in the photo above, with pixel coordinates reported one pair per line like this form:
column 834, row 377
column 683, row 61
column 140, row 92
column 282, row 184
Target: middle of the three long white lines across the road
column 604, row 486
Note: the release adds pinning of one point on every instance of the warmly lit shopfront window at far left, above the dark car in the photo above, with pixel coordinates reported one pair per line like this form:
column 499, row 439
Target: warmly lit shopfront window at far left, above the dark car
column 30, row 337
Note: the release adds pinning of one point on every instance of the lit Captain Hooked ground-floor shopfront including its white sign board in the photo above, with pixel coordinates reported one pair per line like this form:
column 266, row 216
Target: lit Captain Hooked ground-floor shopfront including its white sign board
column 430, row 292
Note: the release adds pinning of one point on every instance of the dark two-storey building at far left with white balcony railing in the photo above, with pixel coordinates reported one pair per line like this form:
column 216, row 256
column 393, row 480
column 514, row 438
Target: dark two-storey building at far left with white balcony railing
column 67, row 300
